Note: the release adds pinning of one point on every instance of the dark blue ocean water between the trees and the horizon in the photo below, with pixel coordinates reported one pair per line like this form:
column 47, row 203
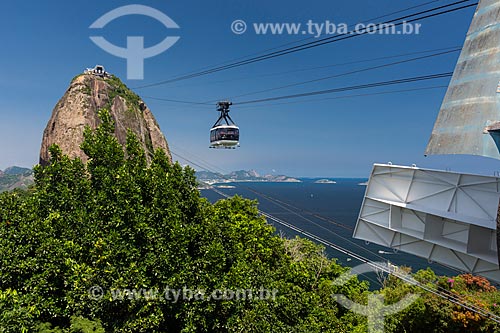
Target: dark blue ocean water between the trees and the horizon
column 338, row 202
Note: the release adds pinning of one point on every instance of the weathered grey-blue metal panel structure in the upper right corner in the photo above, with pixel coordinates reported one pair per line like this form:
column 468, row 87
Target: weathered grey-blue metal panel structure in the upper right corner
column 469, row 118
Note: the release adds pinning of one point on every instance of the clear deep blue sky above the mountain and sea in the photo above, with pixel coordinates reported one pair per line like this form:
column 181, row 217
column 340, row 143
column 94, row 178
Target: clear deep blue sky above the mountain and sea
column 46, row 43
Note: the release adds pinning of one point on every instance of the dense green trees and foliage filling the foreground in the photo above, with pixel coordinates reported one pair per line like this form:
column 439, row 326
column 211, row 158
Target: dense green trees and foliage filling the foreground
column 88, row 232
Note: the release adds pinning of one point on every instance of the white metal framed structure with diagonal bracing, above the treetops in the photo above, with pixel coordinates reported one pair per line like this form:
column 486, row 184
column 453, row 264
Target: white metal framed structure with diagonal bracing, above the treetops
column 447, row 217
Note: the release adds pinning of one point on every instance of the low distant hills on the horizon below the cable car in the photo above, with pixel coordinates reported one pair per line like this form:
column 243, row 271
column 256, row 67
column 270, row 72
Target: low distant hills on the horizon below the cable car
column 210, row 178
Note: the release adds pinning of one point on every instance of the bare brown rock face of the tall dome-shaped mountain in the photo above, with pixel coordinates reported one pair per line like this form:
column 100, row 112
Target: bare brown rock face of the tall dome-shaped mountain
column 79, row 106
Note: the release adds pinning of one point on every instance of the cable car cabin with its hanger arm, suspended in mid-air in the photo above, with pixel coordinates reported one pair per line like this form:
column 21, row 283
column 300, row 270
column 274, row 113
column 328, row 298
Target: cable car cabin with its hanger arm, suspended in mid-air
column 224, row 133
